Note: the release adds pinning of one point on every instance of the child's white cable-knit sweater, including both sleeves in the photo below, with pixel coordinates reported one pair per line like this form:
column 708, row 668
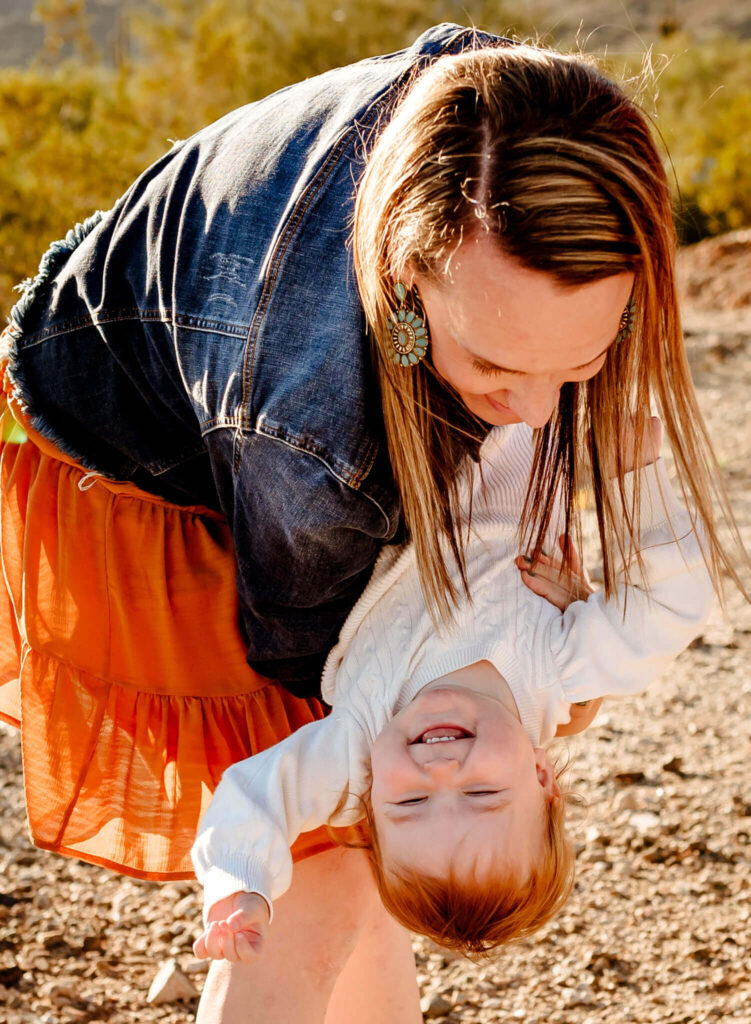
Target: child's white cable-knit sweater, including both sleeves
column 389, row 650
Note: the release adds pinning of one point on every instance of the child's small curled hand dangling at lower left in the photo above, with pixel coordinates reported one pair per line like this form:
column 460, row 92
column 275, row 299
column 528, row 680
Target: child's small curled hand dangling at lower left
column 237, row 929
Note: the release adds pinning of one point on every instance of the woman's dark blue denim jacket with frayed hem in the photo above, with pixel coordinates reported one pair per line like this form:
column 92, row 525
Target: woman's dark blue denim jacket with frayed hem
column 204, row 339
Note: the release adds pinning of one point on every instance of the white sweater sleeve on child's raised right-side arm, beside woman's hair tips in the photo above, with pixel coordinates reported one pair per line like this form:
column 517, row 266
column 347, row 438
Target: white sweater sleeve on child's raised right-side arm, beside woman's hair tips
column 600, row 647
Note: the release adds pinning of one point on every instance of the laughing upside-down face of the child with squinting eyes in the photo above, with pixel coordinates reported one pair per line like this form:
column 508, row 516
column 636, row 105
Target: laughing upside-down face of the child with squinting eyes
column 474, row 801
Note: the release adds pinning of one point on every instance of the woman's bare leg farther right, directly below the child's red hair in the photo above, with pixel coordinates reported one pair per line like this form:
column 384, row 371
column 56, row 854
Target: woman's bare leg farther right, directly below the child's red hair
column 379, row 985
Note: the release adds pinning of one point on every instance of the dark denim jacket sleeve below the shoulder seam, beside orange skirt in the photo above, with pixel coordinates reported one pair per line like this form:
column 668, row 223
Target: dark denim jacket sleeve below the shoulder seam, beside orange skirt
column 305, row 542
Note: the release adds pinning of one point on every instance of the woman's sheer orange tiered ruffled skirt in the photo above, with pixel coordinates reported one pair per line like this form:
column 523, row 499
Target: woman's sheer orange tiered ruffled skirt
column 123, row 664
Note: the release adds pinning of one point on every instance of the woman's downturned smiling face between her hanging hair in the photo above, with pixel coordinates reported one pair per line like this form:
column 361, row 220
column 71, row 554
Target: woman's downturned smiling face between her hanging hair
column 508, row 338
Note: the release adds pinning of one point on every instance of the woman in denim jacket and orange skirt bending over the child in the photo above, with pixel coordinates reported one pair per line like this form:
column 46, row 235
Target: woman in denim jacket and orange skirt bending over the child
column 205, row 343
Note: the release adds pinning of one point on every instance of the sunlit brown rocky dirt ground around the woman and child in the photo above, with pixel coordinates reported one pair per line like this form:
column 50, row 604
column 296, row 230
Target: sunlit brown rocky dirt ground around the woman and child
column 659, row 926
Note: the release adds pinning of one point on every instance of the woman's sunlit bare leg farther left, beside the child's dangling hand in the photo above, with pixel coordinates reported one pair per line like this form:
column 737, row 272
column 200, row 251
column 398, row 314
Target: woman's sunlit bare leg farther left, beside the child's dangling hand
column 317, row 926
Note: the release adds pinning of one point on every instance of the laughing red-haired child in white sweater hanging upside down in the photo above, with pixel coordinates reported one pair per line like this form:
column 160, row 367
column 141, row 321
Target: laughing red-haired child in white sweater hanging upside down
column 436, row 736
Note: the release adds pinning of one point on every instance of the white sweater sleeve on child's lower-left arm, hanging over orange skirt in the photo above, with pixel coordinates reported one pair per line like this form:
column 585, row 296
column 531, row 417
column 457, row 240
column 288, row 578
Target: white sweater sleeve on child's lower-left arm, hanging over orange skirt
column 263, row 804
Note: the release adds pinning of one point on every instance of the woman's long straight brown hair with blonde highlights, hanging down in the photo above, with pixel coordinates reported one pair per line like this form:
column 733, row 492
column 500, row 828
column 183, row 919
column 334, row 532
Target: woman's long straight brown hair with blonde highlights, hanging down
column 557, row 164
